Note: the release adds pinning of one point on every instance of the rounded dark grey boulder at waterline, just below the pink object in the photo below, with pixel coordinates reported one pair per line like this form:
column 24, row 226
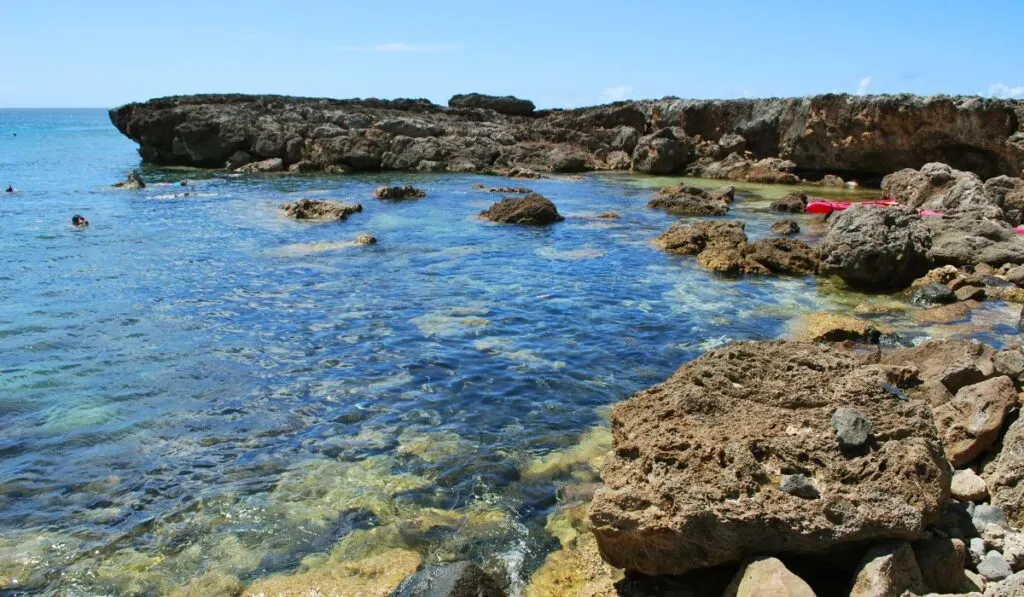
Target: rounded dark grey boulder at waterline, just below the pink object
column 874, row 247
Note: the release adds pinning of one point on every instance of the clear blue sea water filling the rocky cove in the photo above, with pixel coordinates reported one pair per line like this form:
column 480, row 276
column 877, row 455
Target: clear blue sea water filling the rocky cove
column 196, row 385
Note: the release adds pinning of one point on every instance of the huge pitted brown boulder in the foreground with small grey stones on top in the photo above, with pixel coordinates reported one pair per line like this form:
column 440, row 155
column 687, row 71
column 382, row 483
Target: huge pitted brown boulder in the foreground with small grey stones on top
column 737, row 456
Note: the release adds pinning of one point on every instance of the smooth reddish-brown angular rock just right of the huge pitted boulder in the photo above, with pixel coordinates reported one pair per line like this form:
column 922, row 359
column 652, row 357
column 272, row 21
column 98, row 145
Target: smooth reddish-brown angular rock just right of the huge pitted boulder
column 971, row 422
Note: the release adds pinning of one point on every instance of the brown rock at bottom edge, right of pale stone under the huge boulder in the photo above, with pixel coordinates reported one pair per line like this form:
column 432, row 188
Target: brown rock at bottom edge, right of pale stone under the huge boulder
column 888, row 571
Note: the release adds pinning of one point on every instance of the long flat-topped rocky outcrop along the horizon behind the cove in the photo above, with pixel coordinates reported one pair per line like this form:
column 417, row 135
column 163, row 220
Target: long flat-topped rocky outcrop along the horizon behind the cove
column 757, row 140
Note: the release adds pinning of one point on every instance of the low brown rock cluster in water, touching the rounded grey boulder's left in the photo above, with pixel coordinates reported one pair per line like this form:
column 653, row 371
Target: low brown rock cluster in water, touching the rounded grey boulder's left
column 722, row 247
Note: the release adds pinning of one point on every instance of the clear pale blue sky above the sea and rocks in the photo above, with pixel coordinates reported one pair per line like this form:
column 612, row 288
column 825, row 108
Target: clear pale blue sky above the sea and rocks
column 561, row 54
